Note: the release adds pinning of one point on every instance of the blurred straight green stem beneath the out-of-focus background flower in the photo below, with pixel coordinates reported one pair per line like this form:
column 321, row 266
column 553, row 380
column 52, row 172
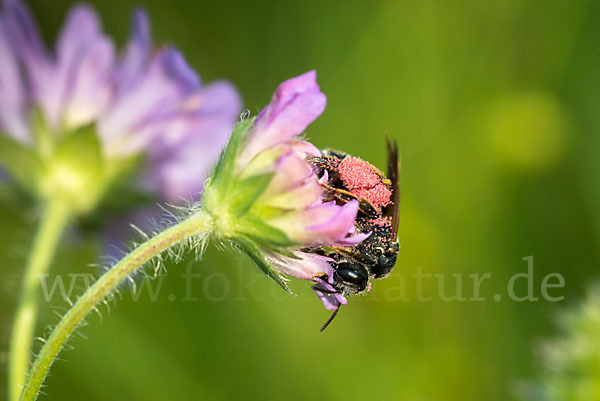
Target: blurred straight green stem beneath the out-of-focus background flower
column 46, row 239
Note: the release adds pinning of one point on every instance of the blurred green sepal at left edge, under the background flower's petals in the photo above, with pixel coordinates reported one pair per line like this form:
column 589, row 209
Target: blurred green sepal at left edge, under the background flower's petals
column 20, row 161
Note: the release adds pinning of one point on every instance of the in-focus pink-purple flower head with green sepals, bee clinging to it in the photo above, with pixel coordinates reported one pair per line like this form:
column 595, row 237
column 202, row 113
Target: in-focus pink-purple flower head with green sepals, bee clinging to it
column 268, row 199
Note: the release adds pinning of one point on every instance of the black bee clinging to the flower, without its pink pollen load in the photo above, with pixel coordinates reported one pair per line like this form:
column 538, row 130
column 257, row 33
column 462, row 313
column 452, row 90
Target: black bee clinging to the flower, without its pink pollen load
column 375, row 257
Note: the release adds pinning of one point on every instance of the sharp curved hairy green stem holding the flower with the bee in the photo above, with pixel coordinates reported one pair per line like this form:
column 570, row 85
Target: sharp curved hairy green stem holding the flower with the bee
column 199, row 225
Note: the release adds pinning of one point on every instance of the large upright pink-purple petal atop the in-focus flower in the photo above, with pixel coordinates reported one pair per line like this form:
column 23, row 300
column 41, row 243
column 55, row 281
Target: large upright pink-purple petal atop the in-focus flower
column 296, row 103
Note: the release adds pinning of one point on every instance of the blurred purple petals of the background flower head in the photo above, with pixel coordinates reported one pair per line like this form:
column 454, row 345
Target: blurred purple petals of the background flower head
column 146, row 102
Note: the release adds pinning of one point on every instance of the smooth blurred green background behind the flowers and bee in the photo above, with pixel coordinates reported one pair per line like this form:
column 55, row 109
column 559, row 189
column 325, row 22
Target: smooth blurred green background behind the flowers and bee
column 494, row 105
